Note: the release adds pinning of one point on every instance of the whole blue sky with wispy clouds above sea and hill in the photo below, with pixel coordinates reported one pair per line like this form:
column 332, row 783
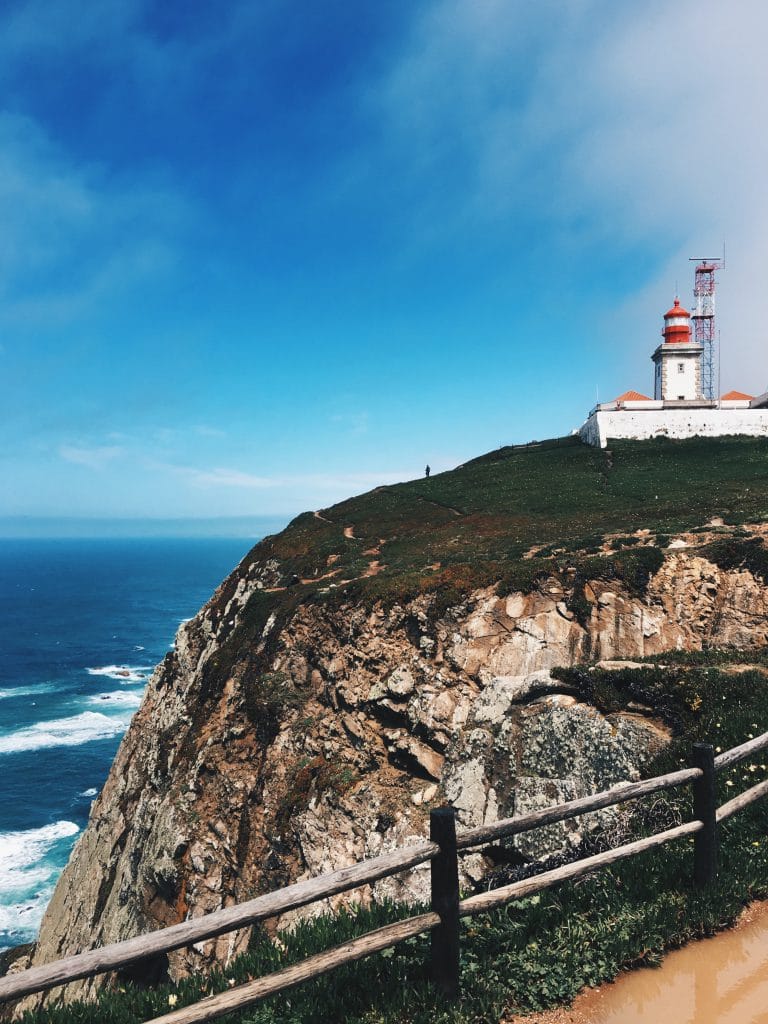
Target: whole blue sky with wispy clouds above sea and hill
column 257, row 258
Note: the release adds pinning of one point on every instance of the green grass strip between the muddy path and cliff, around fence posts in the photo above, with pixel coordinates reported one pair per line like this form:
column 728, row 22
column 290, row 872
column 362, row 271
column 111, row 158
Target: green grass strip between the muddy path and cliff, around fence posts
column 531, row 955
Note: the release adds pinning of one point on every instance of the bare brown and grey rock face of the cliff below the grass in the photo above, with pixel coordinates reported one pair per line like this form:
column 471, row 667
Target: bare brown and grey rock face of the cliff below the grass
column 274, row 745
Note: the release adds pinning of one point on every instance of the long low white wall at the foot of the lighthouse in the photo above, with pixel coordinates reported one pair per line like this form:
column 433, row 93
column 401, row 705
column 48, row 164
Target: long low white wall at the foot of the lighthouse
column 647, row 424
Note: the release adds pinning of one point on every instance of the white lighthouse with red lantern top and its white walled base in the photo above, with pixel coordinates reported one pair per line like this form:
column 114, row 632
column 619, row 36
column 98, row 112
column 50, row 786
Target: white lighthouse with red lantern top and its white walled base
column 679, row 407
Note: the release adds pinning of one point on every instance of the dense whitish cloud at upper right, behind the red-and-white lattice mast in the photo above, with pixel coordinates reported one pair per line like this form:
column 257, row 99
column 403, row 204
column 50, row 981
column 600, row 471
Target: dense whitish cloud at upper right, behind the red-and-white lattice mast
column 679, row 103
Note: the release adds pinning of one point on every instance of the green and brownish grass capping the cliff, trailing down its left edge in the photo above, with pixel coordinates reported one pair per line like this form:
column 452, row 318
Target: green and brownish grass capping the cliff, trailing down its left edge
column 471, row 528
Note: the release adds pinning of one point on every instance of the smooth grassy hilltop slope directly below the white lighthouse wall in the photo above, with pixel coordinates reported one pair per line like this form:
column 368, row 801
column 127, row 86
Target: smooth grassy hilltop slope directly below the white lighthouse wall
column 474, row 525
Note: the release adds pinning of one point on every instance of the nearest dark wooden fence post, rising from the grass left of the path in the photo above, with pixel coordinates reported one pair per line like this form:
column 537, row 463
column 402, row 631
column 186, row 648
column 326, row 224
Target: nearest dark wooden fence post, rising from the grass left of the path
column 445, row 878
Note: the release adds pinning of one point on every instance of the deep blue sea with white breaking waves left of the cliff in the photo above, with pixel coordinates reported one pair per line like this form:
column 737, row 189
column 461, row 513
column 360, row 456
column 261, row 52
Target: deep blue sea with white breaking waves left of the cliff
column 82, row 625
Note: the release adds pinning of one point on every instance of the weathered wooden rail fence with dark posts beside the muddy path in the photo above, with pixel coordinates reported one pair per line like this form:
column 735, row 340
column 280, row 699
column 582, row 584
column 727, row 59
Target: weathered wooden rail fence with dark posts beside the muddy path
column 442, row 851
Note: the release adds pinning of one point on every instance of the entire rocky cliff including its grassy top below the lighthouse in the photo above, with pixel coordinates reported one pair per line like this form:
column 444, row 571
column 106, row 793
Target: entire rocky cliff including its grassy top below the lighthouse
column 395, row 652
